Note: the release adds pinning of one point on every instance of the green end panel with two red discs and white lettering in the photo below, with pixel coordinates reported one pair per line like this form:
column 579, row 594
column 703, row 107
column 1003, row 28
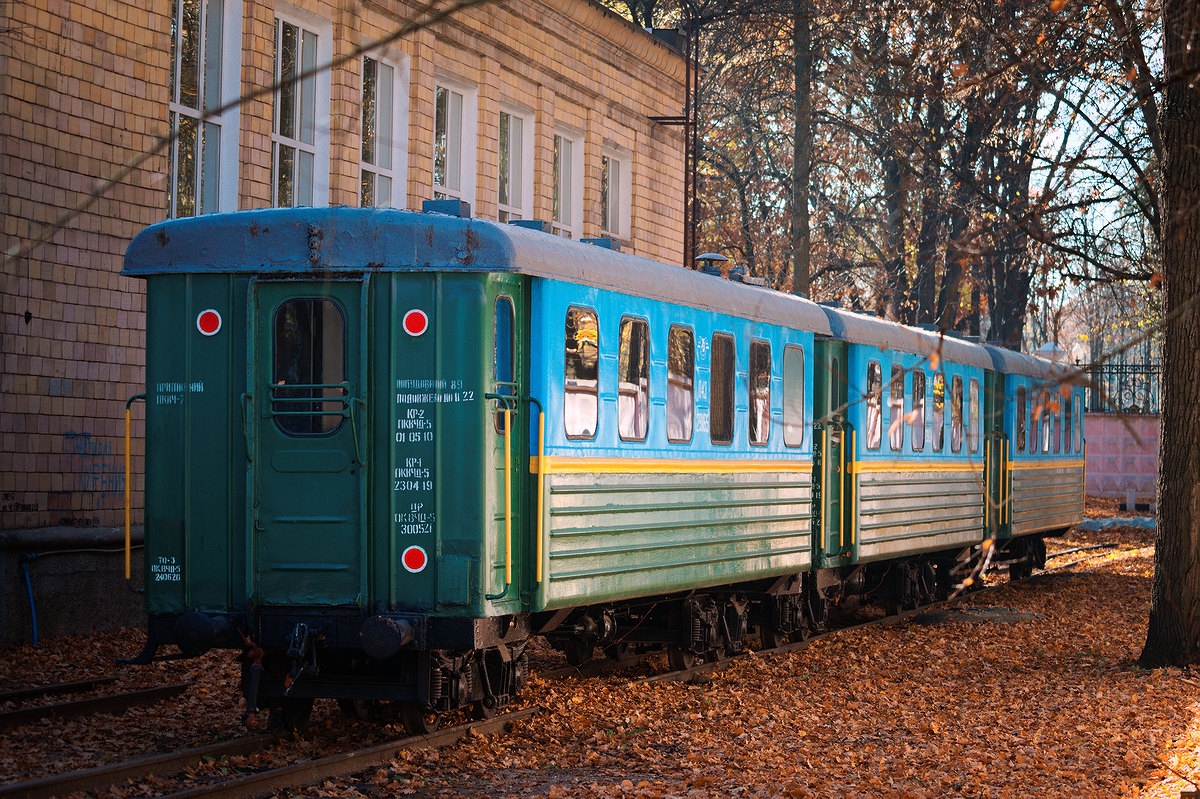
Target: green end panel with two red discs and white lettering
column 446, row 452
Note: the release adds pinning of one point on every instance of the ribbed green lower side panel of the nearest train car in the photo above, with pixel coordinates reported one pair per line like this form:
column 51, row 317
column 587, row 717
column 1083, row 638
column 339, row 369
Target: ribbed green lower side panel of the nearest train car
column 614, row 536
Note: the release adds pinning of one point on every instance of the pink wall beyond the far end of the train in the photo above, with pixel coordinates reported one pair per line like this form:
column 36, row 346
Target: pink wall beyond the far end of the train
column 1123, row 455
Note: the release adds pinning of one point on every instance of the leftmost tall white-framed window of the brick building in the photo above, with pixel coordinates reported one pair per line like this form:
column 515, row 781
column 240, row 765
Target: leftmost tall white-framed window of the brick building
column 215, row 181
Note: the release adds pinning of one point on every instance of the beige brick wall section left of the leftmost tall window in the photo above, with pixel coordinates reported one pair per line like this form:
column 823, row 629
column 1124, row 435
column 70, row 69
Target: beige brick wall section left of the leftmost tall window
column 82, row 97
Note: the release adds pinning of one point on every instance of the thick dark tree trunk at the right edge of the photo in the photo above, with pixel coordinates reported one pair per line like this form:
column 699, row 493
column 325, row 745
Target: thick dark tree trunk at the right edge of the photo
column 1173, row 638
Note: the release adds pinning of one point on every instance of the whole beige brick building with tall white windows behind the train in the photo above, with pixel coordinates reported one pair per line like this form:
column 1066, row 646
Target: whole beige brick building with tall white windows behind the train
column 538, row 111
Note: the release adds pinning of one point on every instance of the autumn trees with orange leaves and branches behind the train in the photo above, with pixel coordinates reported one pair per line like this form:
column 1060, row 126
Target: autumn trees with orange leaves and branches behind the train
column 967, row 161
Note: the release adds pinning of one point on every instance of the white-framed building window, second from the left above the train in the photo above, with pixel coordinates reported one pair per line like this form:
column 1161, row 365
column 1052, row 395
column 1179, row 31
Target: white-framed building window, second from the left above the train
column 311, row 117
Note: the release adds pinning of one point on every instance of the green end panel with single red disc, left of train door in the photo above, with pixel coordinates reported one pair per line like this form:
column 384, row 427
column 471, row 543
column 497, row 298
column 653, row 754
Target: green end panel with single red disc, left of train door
column 195, row 484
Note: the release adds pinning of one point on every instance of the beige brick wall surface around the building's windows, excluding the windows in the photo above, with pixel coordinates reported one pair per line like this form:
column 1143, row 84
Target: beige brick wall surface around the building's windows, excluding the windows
column 85, row 97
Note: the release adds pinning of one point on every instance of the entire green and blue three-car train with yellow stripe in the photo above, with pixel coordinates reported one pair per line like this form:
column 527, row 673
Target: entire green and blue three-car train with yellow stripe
column 387, row 448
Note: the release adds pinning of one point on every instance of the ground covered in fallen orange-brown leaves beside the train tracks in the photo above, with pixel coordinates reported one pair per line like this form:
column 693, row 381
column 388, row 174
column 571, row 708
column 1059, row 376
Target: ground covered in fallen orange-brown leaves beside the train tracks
column 1031, row 690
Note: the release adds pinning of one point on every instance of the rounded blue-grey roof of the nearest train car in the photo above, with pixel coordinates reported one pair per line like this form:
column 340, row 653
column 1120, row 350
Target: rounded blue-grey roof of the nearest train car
column 325, row 242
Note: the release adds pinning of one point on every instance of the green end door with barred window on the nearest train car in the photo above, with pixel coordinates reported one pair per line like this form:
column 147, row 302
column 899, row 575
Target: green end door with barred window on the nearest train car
column 305, row 413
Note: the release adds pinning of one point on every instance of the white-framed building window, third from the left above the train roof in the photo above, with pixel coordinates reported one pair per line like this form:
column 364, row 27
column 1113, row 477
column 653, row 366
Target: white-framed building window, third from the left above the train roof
column 392, row 131
